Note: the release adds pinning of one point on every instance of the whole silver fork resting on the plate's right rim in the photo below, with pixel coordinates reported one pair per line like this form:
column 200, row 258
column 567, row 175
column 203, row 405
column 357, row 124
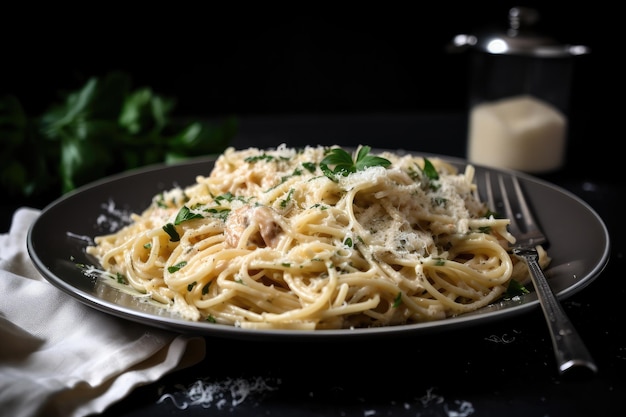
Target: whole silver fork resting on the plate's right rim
column 569, row 348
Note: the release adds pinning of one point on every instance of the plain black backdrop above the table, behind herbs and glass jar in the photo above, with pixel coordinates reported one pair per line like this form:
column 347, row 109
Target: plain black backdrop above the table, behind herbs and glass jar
column 316, row 57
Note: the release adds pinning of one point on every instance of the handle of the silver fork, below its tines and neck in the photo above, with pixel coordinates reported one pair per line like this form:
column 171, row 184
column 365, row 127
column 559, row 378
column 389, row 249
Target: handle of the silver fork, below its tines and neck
column 569, row 348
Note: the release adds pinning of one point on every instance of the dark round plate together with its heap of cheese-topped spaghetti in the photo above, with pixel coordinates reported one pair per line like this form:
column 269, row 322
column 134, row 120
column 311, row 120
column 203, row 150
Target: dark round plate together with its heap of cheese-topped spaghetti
column 319, row 241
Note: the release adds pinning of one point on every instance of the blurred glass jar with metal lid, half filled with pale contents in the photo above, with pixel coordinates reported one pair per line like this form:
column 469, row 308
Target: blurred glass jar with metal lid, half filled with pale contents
column 519, row 96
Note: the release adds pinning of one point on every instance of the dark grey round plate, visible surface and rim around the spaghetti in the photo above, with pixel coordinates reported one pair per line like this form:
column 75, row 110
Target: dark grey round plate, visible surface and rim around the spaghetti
column 579, row 247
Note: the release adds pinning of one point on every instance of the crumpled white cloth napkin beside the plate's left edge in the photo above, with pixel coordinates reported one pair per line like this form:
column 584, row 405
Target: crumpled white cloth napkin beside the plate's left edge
column 59, row 357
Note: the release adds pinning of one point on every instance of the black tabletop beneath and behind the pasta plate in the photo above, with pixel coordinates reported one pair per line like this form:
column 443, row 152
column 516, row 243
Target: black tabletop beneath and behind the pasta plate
column 506, row 367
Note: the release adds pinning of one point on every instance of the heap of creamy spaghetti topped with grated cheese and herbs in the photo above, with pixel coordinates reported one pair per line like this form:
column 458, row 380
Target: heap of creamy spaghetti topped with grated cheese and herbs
column 289, row 238
